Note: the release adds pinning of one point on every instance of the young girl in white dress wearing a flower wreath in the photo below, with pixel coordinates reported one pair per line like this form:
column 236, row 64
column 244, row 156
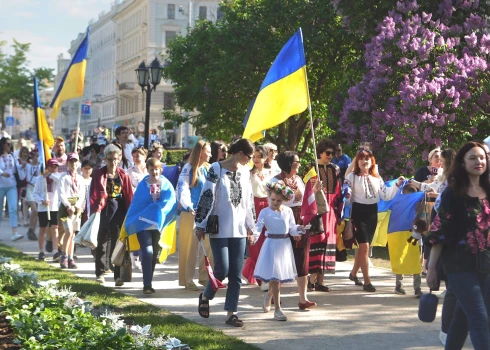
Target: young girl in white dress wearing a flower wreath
column 275, row 264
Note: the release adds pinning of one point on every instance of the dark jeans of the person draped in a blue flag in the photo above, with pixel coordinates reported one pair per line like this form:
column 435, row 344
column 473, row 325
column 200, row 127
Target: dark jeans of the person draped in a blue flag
column 149, row 249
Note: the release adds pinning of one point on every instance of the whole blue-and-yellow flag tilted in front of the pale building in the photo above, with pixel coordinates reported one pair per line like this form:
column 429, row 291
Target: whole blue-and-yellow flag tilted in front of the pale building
column 73, row 82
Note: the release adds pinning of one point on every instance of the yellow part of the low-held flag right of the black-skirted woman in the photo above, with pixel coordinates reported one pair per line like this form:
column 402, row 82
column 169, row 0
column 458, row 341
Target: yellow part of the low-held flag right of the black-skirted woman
column 404, row 257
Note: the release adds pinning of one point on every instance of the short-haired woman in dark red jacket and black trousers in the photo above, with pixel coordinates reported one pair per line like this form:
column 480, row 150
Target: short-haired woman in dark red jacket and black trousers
column 111, row 194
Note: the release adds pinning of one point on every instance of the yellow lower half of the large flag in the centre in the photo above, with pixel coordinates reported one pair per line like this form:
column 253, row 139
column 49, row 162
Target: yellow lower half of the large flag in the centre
column 276, row 103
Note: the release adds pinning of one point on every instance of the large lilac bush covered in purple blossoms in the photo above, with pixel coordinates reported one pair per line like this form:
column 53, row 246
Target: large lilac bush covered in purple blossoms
column 426, row 84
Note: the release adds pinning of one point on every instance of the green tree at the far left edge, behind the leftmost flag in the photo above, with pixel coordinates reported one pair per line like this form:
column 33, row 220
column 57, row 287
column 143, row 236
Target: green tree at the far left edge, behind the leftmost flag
column 16, row 81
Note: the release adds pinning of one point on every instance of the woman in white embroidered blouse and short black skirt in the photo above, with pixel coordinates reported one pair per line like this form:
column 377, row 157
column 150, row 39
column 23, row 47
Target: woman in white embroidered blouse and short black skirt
column 365, row 188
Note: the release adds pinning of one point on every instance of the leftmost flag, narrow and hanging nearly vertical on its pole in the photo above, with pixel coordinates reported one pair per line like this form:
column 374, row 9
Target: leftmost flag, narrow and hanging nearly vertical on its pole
column 44, row 135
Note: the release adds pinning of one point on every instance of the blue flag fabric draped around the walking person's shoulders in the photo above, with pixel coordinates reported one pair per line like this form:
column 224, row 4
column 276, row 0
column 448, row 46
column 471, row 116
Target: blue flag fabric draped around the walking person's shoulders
column 161, row 212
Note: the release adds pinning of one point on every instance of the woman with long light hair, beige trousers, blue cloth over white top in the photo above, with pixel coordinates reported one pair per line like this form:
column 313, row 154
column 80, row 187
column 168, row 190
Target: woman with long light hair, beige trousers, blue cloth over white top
column 191, row 181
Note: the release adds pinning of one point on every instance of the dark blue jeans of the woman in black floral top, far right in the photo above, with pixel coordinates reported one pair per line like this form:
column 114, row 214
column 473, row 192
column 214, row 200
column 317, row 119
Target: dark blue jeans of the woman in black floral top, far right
column 471, row 291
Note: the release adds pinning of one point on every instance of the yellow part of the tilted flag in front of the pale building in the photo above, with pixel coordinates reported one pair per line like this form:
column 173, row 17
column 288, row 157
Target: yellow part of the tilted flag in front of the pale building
column 72, row 87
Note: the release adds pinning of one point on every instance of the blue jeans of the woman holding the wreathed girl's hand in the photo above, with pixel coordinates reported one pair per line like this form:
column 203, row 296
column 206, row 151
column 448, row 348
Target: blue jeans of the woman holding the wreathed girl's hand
column 228, row 256
